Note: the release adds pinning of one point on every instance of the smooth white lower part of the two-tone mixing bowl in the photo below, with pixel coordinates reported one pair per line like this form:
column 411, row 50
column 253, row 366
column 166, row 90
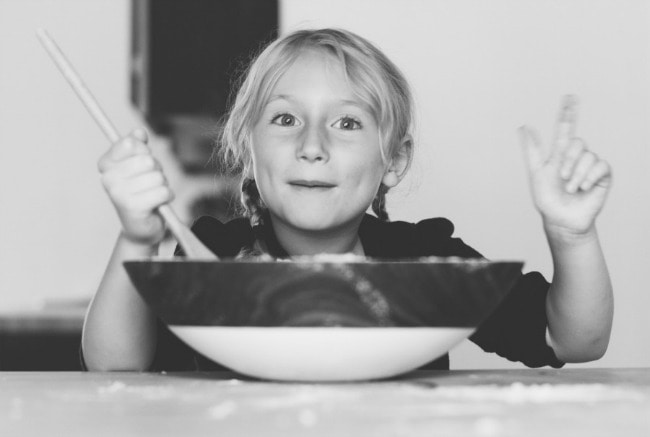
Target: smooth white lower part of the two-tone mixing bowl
column 321, row 354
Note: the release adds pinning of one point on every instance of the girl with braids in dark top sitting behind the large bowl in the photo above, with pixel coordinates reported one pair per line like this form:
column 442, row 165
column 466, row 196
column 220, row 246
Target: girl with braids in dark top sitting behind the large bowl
column 320, row 131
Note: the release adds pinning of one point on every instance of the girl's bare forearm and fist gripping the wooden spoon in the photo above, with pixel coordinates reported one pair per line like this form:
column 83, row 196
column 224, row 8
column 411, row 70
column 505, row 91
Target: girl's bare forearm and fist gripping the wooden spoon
column 119, row 330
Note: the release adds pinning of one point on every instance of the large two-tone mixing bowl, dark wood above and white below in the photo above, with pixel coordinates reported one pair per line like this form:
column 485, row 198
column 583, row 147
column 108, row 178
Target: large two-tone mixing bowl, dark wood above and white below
column 323, row 319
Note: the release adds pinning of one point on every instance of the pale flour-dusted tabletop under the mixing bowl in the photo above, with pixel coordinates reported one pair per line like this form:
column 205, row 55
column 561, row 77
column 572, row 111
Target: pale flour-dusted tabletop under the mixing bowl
column 572, row 402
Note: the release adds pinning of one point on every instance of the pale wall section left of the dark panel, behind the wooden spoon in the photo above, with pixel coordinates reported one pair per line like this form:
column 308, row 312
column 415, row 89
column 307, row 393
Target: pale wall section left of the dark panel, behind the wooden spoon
column 57, row 226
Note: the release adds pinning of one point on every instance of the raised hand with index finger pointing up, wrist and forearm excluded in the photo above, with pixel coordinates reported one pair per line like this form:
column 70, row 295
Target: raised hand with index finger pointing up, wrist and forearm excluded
column 569, row 182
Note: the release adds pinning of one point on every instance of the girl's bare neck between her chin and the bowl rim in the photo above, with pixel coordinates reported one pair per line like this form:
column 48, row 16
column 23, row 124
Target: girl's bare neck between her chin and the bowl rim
column 298, row 242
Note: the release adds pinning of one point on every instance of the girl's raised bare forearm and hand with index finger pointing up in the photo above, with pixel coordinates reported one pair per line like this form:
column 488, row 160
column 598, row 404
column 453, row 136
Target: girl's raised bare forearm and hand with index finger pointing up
column 569, row 184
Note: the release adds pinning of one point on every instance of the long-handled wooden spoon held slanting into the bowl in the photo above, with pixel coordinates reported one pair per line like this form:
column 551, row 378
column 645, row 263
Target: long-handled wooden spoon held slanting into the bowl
column 191, row 245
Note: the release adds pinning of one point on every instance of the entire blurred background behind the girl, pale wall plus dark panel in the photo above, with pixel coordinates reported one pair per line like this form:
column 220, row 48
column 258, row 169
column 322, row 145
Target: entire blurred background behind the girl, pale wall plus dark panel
column 479, row 69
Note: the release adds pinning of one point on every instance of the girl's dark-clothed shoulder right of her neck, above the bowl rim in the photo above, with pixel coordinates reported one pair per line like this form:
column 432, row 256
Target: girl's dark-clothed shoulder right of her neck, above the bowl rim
column 429, row 237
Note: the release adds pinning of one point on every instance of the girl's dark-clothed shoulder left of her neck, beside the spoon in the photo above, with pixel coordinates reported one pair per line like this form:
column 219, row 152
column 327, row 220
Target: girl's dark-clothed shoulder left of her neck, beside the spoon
column 224, row 239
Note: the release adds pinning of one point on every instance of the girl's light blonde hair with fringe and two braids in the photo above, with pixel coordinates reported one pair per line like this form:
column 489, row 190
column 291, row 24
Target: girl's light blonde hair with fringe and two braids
column 372, row 76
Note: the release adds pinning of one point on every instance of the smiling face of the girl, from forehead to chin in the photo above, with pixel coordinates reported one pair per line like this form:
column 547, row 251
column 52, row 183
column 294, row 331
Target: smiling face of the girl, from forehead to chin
column 316, row 148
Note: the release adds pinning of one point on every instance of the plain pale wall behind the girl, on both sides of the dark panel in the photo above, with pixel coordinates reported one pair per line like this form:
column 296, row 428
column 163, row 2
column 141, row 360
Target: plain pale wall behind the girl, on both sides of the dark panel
column 479, row 69
